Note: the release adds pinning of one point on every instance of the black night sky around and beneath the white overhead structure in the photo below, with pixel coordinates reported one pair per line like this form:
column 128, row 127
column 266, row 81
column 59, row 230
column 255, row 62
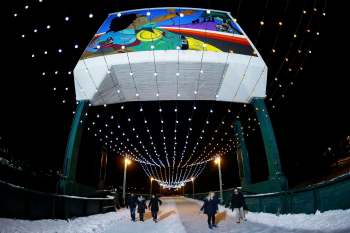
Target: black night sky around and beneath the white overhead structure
column 309, row 107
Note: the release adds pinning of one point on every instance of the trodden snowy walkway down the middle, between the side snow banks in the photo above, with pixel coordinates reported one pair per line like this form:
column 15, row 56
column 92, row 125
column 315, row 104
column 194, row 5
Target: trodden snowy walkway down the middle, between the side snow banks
column 181, row 215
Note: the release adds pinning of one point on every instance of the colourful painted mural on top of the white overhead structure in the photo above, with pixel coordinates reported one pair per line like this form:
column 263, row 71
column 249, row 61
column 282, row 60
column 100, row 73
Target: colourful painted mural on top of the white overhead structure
column 168, row 29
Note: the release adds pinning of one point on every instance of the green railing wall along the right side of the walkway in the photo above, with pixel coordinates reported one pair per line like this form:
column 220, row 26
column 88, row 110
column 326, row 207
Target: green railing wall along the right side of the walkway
column 329, row 195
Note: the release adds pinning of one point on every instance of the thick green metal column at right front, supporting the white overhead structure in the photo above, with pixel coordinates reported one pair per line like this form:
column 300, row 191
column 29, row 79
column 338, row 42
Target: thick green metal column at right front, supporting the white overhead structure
column 276, row 177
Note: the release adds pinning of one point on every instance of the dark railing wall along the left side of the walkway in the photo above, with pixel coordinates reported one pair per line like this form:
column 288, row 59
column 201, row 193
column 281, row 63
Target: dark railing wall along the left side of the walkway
column 18, row 202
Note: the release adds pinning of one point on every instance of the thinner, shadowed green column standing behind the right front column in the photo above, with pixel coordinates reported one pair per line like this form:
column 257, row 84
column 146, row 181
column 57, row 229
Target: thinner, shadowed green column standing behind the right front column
column 242, row 156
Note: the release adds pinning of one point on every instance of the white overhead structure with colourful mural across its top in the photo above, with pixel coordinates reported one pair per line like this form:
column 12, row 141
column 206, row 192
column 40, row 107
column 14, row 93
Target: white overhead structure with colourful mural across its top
column 170, row 54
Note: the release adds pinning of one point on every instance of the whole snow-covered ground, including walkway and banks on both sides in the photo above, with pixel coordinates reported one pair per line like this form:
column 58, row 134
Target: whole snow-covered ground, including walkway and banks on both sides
column 182, row 215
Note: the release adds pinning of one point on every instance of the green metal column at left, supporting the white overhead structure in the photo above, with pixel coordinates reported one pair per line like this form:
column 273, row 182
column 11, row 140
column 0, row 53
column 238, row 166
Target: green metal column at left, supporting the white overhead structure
column 67, row 183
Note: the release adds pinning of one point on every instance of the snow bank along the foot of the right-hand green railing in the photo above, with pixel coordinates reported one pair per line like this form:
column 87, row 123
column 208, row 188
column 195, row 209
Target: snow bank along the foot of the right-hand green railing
column 328, row 221
